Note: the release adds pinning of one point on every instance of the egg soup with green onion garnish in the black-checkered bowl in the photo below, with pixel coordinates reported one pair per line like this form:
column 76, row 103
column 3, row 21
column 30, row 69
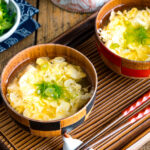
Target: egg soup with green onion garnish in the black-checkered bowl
column 49, row 89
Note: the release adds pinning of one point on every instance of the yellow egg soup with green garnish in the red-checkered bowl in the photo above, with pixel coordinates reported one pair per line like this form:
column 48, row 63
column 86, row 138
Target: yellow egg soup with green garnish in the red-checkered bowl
column 128, row 34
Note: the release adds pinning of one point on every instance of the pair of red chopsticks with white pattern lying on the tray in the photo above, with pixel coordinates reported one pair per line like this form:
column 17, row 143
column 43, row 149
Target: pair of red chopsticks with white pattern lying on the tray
column 139, row 105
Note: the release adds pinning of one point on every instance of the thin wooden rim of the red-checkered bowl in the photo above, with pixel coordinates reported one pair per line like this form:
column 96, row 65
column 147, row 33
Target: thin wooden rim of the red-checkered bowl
column 97, row 35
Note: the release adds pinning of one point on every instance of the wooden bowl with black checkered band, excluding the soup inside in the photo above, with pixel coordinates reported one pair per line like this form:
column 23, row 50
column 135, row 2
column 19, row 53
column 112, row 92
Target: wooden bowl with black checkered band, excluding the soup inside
column 56, row 127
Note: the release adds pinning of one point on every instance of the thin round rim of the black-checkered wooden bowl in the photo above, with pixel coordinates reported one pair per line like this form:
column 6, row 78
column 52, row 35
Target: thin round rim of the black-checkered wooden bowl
column 57, row 120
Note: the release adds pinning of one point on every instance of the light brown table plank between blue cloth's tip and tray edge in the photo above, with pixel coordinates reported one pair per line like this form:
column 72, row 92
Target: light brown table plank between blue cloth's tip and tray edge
column 55, row 21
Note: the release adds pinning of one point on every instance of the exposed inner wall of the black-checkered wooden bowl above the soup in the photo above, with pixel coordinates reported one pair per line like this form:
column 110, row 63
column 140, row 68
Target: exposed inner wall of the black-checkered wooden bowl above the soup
column 18, row 62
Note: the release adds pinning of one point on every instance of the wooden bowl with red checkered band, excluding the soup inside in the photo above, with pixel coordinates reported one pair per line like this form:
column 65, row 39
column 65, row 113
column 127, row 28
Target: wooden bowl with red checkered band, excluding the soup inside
column 122, row 66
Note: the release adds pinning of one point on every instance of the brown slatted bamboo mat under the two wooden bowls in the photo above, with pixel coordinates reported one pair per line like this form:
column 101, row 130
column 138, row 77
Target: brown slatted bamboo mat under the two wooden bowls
column 113, row 95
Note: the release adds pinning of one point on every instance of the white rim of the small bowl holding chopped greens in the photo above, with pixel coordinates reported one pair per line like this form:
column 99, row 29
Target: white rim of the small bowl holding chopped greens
column 16, row 24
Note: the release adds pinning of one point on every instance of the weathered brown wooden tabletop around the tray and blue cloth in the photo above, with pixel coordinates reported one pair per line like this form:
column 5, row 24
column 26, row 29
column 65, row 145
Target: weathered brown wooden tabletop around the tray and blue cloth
column 53, row 21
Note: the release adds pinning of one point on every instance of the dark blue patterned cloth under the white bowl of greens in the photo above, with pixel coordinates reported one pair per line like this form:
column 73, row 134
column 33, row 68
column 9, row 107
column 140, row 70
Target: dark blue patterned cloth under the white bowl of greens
column 27, row 25
